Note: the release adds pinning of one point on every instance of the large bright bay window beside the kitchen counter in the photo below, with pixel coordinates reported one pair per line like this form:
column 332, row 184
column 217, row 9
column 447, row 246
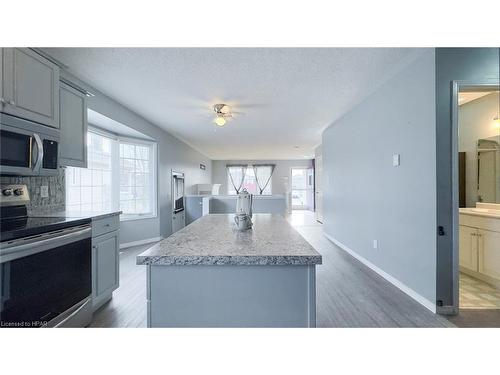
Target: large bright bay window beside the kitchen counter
column 120, row 175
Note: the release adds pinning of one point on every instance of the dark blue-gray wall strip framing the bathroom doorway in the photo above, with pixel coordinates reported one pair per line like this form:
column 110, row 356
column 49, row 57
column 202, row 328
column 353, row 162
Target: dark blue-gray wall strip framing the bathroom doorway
column 471, row 64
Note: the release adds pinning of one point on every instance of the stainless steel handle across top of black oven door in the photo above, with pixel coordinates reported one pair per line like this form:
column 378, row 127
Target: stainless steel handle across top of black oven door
column 36, row 244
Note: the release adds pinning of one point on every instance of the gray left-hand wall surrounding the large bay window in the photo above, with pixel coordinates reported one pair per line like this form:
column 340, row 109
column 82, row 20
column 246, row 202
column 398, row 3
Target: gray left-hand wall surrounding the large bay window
column 172, row 154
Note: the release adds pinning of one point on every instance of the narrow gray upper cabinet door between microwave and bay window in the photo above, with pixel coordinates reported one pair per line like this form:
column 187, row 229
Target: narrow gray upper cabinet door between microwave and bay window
column 73, row 123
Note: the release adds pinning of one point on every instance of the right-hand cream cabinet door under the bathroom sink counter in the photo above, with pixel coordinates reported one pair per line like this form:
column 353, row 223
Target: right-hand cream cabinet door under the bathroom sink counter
column 489, row 253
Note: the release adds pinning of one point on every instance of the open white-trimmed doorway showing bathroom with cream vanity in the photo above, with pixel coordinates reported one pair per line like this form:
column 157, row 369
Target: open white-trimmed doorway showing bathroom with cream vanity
column 476, row 202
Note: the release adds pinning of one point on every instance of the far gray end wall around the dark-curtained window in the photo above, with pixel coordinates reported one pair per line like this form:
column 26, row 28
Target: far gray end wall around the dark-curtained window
column 282, row 170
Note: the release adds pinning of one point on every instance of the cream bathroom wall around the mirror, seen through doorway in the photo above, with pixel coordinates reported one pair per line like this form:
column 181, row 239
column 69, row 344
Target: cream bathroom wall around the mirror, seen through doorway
column 475, row 121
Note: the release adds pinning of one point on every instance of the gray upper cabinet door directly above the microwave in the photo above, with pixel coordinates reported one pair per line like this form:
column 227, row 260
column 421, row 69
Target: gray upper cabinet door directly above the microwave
column 30, row 86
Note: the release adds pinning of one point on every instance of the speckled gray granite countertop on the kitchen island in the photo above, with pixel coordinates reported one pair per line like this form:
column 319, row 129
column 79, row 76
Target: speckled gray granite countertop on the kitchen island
column 214, row 240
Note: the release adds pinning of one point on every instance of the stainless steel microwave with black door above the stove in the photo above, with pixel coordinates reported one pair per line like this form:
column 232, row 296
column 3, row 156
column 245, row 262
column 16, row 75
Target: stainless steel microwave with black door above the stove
column 27, row 148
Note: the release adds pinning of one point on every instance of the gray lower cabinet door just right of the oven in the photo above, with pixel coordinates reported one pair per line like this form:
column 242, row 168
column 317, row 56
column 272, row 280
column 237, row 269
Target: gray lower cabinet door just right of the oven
column 106, row 264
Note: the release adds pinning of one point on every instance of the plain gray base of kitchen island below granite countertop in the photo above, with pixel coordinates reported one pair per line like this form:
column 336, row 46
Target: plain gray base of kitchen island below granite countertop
column 231, row 296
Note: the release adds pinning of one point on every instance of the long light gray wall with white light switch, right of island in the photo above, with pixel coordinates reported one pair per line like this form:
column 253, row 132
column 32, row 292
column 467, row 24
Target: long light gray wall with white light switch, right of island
column 366, row 198
